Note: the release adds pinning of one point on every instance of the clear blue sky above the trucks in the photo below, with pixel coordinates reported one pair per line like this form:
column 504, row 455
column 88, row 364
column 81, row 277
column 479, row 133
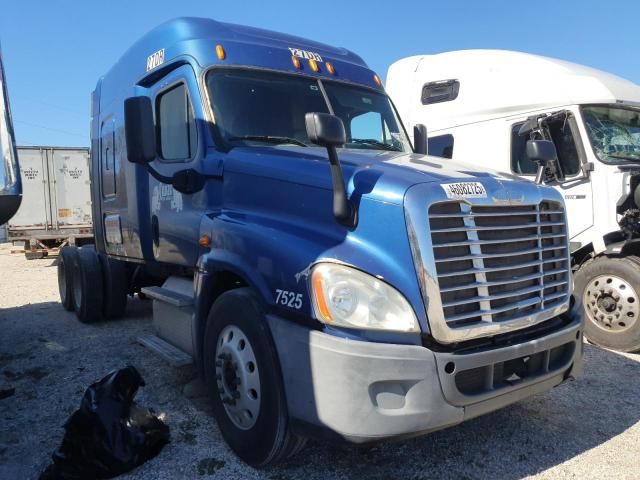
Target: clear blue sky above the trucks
column 55, row 50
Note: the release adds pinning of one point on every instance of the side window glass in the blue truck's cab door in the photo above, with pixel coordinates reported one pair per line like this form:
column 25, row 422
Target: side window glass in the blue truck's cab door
column 176, row 126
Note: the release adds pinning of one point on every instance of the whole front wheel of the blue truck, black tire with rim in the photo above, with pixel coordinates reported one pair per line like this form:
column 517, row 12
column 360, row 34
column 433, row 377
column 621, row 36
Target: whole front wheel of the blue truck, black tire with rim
column 261, row 437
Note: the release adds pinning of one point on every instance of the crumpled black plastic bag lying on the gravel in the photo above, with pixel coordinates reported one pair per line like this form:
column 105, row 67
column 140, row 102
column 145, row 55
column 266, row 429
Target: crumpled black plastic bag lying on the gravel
column 109, row 434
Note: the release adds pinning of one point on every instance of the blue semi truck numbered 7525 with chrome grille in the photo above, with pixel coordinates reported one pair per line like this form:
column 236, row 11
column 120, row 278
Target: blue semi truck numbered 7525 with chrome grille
column 327, row 278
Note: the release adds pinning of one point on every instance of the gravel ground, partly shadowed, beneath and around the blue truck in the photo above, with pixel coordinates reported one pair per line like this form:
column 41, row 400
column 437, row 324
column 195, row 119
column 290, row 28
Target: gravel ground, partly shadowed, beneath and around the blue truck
column 584, row 429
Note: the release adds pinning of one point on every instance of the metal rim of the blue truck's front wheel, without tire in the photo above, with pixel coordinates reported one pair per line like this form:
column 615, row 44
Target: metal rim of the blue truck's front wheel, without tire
column 237, row 377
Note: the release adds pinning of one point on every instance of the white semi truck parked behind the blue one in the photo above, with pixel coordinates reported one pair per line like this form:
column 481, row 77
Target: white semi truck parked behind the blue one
column 482, row 107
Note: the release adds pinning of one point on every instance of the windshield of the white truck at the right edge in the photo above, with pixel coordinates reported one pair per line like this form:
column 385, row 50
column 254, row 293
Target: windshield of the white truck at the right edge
column 614, row 133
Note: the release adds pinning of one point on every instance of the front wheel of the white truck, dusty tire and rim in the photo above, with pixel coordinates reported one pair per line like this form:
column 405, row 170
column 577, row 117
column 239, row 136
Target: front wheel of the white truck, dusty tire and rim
column 606, row 293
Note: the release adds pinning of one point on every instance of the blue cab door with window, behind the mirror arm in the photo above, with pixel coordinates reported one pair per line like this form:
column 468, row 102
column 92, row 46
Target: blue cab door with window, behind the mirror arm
column 174, row 216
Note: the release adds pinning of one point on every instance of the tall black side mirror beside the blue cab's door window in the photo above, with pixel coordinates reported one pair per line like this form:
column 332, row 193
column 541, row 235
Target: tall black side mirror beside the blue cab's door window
column 139, row 130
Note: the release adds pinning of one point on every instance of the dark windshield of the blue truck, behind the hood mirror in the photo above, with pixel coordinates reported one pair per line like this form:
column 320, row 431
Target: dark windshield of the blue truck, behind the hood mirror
column 256, row 107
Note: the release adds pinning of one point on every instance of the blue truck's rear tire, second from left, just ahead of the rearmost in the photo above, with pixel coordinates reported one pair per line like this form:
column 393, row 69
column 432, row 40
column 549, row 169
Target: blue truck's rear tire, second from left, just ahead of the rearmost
column 87, row 286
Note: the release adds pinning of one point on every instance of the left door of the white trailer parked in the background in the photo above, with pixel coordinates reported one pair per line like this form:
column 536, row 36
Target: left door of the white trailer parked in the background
column 34, row 212
